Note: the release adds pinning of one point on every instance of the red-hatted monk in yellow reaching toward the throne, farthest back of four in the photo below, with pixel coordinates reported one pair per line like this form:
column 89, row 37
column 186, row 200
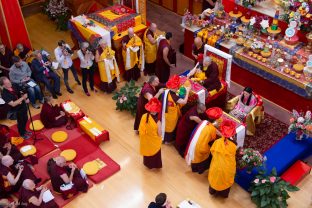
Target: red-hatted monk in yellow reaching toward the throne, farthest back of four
column 171, row 103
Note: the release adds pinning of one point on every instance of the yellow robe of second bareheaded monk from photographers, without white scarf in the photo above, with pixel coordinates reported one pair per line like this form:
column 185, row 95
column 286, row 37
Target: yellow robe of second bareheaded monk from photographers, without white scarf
column 134, row 41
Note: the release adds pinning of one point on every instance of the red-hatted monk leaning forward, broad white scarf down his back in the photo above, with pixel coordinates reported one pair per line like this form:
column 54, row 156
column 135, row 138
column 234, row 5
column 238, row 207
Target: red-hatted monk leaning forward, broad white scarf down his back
column 198, row 151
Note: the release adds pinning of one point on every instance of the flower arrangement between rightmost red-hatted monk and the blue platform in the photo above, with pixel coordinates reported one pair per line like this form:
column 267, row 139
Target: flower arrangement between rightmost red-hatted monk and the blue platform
column 250, row 159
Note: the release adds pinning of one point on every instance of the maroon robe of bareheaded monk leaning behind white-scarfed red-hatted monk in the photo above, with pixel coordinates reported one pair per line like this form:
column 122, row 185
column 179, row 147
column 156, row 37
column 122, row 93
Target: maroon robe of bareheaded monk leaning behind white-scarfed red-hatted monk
column 184, row 130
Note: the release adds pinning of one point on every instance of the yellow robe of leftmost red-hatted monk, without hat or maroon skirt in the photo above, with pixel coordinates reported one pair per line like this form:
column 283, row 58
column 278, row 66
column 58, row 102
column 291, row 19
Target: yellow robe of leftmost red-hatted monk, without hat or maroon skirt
column 150, row 141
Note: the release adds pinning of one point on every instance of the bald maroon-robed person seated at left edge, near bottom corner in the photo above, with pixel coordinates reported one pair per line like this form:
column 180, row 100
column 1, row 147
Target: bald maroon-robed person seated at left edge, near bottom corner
column 14, row 175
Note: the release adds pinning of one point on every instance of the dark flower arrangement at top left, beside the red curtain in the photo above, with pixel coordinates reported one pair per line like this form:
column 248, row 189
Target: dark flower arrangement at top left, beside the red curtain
column 56, row 10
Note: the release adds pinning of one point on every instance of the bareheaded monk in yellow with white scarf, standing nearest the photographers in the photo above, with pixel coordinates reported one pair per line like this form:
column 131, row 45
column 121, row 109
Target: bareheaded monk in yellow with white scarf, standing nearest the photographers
column 108, row 68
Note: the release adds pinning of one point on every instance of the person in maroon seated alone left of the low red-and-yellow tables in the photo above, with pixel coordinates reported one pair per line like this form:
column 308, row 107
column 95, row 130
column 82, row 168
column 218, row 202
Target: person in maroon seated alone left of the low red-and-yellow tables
column 52, row 115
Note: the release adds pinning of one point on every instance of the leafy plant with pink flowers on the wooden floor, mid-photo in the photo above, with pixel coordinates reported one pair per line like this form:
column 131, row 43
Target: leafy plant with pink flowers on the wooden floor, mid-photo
column 127, row 97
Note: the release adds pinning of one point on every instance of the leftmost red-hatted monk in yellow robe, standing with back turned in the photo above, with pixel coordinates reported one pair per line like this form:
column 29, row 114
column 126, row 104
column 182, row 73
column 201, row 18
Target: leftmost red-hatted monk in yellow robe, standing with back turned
column 150, row 135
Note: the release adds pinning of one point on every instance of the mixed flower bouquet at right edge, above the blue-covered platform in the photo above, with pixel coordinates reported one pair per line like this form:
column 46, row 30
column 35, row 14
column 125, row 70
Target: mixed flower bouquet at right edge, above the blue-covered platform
column 301, row 124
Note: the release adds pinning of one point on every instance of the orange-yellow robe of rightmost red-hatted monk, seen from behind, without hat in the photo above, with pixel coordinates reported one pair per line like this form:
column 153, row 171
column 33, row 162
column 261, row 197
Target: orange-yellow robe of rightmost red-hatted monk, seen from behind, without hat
column 223, row 165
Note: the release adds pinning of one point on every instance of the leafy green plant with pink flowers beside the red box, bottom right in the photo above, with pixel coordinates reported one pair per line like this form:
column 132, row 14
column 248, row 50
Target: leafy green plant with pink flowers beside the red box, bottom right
column 270, row 191
